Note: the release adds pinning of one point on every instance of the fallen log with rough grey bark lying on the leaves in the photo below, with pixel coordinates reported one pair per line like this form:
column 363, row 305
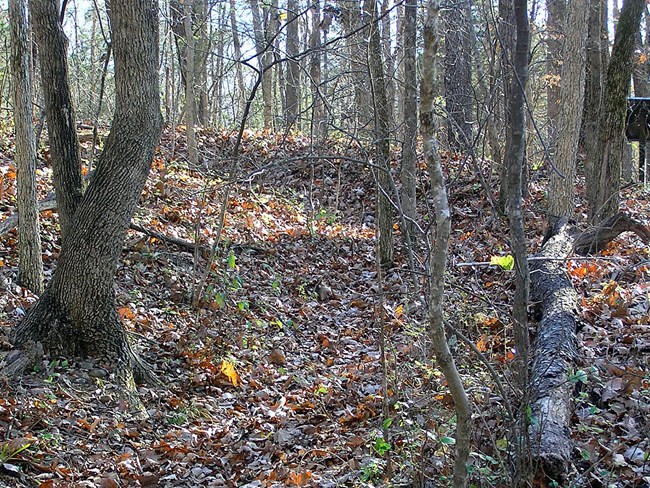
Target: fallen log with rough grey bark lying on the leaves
column 554, row 354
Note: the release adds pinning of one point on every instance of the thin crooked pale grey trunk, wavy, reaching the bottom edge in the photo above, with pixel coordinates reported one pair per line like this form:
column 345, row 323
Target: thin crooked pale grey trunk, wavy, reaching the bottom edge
column 439, row 248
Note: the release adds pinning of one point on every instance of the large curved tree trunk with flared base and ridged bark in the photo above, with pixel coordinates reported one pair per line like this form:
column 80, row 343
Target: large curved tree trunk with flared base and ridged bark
column 77, row 313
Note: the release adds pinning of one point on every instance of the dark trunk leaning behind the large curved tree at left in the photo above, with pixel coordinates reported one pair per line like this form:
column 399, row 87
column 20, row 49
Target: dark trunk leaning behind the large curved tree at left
column 64, row 147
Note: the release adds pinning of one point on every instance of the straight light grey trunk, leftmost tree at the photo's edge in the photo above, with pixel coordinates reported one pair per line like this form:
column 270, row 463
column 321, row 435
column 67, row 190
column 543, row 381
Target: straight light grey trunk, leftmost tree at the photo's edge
column 30, row 271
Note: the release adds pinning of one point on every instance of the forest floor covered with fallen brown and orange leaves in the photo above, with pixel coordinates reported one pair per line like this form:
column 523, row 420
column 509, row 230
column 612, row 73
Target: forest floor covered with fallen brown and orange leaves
column 276, row 378
